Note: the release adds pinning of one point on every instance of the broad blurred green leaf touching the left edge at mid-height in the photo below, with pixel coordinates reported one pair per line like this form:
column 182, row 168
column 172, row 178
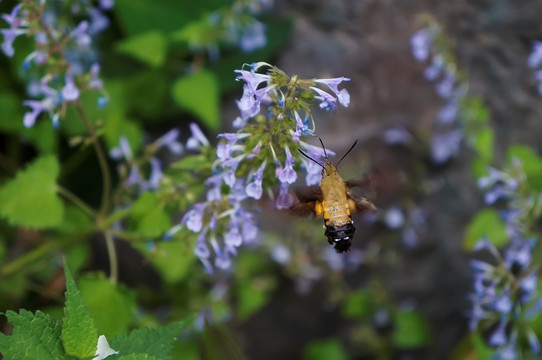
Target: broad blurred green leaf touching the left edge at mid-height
column 30, row 199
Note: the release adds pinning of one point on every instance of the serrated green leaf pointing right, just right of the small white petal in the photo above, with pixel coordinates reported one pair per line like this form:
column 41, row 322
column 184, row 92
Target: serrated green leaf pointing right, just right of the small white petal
column 156, row 342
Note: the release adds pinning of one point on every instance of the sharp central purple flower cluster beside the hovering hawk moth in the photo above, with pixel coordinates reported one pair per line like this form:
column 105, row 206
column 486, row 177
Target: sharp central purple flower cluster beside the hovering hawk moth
column 260, row 156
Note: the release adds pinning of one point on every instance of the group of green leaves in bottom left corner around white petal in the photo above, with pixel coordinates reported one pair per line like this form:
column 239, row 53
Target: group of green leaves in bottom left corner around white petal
column 39, row 336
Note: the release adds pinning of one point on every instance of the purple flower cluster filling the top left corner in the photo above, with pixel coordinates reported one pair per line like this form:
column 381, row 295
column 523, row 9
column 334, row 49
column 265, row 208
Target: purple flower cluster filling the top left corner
column 57, row 44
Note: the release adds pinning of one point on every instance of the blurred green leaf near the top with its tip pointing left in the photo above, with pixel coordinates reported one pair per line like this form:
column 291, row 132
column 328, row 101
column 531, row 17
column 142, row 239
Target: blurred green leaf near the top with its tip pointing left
column 149, row 48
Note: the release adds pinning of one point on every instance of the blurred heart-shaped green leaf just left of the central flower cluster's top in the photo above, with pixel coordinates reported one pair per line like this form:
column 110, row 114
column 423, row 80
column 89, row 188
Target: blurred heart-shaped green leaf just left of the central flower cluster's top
column 199, row 94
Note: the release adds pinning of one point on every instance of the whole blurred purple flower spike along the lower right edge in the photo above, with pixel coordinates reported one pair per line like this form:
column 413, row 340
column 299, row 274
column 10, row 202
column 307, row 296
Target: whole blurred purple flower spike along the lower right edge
column 505, row 295
